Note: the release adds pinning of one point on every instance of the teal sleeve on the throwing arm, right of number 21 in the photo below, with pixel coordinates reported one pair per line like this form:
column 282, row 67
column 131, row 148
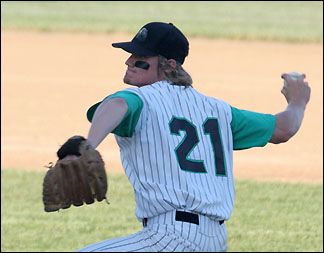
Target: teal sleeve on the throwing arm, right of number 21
column 251, row 129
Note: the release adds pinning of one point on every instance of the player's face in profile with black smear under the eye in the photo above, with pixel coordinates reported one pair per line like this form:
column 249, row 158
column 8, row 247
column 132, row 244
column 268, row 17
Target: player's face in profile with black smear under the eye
column 138, row 76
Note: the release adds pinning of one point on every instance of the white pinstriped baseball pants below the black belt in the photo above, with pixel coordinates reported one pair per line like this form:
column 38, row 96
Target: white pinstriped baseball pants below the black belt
column 163, row 233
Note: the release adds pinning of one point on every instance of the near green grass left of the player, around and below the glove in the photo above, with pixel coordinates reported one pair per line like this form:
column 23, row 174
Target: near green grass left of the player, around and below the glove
column 25, row 226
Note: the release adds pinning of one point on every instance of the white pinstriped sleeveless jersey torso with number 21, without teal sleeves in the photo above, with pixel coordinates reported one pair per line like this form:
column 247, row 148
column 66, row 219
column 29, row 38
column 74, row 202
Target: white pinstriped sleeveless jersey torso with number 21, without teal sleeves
column 171, row 159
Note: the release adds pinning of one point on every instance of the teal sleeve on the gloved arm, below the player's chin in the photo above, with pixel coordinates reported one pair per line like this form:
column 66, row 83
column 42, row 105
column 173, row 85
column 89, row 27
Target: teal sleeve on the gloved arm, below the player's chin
column 135, row 105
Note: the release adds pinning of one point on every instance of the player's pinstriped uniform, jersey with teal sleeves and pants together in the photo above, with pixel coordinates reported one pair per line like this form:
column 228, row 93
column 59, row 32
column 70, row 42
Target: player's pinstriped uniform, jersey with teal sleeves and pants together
column 176, row 148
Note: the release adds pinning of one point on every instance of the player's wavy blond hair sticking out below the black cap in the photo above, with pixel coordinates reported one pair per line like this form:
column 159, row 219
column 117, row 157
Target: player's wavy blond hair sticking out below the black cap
column 178, row 76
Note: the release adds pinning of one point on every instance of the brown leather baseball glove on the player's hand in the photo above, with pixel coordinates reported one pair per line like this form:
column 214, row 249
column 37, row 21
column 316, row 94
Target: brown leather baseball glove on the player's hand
column 77, row 181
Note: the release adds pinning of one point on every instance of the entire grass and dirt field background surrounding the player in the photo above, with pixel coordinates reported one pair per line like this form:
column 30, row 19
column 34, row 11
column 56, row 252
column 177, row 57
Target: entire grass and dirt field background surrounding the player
column 57, row 61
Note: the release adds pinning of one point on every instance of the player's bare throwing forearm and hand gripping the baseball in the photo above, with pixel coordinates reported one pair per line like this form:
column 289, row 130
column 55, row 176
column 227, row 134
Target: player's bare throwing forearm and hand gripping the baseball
column 288, row 122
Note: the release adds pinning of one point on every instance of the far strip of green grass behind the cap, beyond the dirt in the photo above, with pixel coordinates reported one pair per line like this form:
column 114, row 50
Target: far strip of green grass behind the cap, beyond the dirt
column 293, row 21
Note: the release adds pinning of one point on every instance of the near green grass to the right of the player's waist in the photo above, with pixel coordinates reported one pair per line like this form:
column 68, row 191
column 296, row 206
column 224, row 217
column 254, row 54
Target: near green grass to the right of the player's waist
column 276, row 217
